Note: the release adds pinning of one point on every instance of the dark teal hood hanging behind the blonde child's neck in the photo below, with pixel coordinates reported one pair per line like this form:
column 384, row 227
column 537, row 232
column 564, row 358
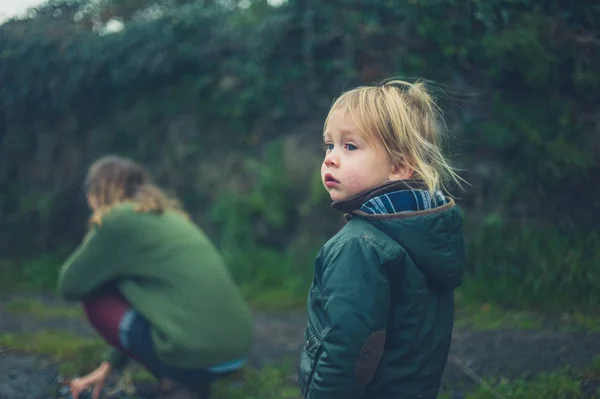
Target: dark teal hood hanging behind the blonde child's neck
column 432, row 238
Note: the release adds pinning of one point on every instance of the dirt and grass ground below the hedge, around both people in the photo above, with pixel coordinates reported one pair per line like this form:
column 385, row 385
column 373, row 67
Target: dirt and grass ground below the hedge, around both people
column 38, row 332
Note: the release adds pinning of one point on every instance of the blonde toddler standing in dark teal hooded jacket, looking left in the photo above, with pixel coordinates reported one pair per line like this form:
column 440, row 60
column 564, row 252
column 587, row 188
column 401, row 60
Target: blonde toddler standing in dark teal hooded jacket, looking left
column 381, row 303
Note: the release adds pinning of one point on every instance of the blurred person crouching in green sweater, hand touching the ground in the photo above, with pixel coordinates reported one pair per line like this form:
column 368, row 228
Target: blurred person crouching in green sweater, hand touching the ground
column 153, row 285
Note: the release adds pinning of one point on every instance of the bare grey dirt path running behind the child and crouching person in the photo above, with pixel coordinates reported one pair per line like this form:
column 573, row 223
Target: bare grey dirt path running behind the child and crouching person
column 279, row 336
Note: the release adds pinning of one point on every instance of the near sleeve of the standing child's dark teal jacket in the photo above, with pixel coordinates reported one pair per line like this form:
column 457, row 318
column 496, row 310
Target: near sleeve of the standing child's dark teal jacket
column 356, row 301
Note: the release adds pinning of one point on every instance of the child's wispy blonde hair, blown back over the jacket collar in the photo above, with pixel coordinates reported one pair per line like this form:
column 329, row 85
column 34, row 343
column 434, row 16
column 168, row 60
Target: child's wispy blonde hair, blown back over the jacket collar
column 405, row 119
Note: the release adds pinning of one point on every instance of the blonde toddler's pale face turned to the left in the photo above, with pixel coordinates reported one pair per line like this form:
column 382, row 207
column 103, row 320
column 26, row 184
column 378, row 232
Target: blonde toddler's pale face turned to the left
column 351, row 165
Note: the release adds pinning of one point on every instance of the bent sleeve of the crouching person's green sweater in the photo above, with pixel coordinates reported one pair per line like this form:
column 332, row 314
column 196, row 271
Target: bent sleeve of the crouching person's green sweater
column 95, row 262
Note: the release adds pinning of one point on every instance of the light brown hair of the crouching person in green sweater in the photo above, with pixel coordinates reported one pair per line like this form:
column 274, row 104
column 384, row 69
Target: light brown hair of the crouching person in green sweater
column 112, row 180
